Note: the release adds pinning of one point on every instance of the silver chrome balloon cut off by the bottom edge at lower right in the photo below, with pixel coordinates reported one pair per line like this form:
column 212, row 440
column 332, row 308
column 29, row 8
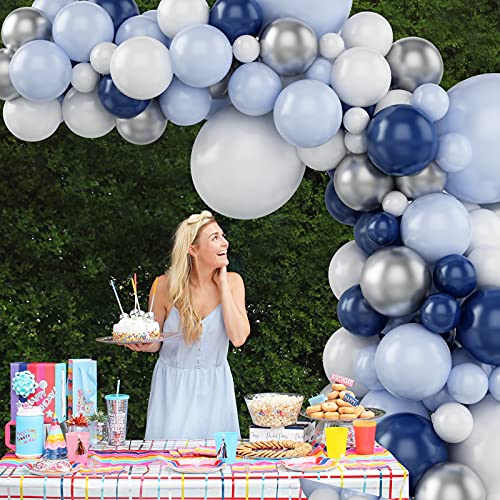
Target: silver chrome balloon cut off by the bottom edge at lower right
column 450, row 481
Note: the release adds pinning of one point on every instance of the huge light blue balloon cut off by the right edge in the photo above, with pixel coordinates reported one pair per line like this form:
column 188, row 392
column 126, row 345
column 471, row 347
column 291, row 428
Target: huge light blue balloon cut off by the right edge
column 475, row 113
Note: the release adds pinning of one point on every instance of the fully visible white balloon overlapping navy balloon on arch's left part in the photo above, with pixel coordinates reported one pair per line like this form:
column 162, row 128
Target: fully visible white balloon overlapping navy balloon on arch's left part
column 141, row 68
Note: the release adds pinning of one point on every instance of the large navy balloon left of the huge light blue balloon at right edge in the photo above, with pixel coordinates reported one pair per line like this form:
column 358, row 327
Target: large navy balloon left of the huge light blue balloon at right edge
column 401, row 140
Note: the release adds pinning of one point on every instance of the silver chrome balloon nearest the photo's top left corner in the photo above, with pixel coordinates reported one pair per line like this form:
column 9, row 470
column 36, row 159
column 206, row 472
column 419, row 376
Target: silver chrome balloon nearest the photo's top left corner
column 24, row 25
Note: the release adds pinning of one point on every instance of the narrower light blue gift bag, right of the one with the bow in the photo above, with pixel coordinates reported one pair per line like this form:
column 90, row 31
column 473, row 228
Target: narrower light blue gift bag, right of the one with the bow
column 82, row 387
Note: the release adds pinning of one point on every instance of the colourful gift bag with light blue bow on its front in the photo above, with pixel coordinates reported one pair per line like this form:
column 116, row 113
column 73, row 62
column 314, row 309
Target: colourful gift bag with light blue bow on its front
column 39, row 384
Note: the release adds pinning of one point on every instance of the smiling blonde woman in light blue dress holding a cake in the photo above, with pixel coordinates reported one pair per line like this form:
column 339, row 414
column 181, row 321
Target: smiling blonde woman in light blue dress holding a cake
column 192, row 393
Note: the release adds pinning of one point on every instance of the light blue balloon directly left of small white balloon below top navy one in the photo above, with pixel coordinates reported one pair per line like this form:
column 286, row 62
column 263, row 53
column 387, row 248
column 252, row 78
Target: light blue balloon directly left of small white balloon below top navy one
column 201, row 55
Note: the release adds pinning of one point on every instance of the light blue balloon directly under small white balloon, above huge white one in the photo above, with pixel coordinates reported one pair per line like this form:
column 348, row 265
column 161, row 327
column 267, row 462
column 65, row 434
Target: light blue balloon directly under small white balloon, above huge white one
column 254, row 88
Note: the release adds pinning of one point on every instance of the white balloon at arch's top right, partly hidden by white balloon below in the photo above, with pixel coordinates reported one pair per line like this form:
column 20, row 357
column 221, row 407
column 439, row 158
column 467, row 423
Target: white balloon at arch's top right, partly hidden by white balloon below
column 368, row 29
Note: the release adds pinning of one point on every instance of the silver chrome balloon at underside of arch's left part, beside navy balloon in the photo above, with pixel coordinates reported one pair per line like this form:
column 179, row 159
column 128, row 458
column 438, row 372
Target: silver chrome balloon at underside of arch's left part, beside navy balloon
column 145, row 128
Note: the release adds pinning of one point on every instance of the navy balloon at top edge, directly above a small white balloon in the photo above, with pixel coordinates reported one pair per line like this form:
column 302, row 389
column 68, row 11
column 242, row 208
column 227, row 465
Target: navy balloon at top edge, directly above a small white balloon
column 236, row 17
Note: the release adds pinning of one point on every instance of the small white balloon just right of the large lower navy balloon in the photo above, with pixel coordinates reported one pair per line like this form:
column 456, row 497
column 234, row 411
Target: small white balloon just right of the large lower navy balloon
column 452, row 422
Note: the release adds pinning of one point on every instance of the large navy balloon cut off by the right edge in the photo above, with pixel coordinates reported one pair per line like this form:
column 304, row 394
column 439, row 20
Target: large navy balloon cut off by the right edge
column 479, row 327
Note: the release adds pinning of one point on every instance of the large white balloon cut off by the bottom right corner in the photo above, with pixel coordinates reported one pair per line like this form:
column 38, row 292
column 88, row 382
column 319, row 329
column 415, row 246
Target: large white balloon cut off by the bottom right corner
column 480, row 450
